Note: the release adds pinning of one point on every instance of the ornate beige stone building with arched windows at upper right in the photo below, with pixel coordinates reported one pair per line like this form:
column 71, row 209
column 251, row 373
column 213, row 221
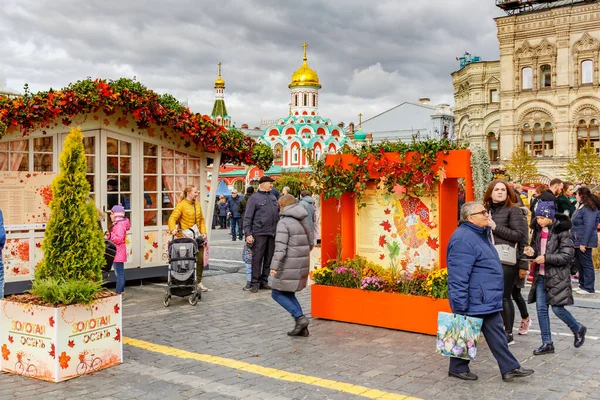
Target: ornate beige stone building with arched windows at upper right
column 549, row 99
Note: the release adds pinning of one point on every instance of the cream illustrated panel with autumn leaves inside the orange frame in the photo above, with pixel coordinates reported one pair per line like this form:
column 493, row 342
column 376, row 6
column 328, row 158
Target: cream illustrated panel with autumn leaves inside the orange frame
column 398, row 230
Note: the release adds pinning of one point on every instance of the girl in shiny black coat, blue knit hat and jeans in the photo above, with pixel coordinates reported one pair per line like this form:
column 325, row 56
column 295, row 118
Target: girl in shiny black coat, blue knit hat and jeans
column 552, row 246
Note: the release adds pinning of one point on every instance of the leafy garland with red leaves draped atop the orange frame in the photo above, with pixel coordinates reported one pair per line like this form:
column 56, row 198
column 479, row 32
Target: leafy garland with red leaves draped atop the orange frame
column 415, row 172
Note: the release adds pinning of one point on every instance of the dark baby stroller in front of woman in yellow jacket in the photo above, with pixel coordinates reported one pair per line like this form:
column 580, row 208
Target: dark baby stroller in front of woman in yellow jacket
column 182, row 279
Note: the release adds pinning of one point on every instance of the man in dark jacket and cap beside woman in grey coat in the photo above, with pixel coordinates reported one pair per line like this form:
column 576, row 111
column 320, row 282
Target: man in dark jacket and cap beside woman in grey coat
column 260, row 225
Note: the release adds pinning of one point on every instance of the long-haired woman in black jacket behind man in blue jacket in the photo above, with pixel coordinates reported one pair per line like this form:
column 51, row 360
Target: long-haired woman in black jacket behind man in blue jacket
column 509, row 227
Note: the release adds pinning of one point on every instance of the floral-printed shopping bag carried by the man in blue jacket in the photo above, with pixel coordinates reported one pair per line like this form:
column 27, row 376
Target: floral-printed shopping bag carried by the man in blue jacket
column 458, row 335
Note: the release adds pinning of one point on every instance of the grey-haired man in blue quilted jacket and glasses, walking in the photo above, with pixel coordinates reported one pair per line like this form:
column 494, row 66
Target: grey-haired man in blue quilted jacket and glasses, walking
column 475, row 288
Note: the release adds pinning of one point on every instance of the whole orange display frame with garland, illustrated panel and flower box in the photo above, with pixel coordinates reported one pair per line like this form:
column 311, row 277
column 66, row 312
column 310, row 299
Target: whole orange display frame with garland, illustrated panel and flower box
column 388, row 212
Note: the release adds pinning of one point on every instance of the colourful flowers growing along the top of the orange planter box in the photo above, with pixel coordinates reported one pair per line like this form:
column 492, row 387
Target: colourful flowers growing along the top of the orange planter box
column 362, row 274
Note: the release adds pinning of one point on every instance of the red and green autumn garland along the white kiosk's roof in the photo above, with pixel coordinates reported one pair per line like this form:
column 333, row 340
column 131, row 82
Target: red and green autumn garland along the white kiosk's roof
column 40, row 110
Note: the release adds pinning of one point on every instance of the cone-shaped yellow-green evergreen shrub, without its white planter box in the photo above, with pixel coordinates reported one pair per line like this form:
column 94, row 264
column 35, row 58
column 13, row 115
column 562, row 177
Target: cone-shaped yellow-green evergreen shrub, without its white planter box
column 73, row 245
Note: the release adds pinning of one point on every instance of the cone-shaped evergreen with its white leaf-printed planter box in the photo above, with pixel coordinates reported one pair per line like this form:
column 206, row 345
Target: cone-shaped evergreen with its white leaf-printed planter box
column 68, row 325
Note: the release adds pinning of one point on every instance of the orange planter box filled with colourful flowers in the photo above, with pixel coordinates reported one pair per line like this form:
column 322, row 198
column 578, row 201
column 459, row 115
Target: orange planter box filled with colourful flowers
column 363, row 292
